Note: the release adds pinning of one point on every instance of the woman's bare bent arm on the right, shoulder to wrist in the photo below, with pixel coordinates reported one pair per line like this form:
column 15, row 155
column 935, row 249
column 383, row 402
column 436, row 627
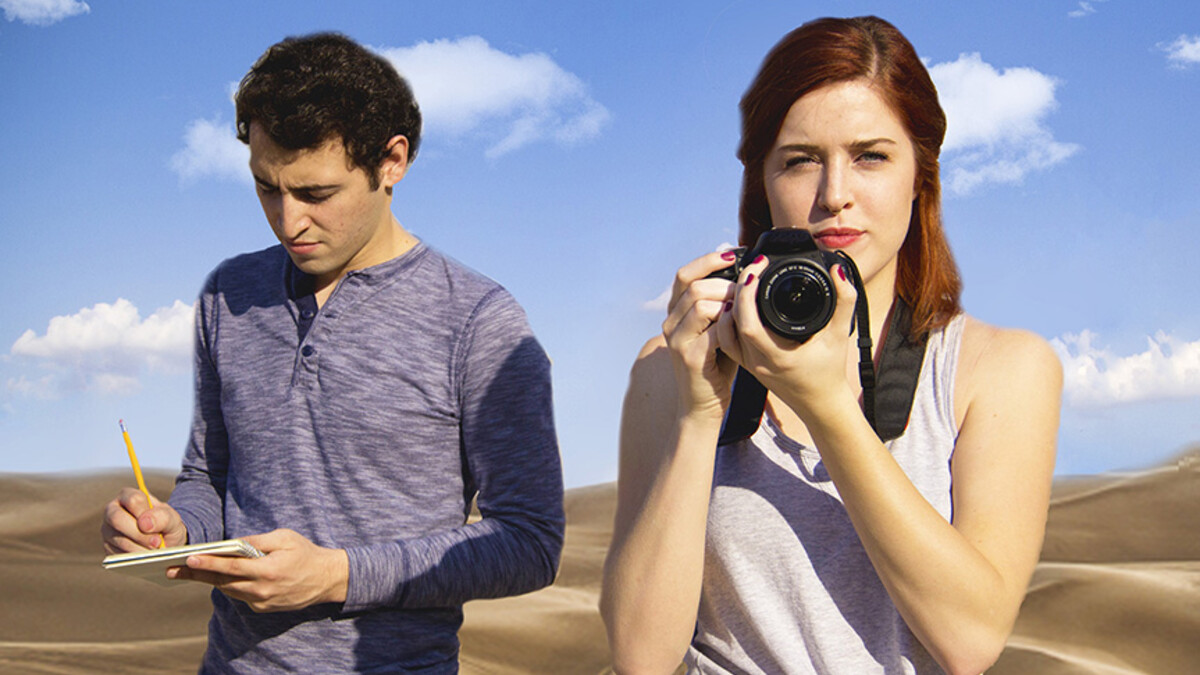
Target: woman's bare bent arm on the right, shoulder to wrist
column 961, row 587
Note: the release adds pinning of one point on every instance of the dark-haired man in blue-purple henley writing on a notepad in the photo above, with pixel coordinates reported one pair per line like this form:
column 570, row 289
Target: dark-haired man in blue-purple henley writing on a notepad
column 355, row 391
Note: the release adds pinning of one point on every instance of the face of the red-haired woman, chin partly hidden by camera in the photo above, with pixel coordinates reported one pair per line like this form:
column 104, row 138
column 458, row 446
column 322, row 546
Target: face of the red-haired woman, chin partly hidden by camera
column 845, row 170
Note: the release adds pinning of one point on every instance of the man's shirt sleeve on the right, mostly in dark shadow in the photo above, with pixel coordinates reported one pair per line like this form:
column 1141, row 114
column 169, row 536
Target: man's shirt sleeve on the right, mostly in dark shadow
column 511, row 456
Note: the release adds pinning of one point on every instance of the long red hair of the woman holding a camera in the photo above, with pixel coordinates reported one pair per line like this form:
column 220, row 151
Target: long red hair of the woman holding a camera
column 831, row 51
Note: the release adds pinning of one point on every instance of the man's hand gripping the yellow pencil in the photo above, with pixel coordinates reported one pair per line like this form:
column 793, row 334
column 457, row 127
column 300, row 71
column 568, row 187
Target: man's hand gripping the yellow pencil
column 131, row 524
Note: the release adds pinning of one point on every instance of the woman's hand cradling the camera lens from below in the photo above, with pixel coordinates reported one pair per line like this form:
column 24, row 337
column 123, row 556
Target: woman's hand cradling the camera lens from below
column 805, row 375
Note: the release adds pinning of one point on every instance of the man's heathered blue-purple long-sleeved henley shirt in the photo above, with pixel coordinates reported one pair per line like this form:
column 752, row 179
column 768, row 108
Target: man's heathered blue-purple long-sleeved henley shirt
column 370, row 426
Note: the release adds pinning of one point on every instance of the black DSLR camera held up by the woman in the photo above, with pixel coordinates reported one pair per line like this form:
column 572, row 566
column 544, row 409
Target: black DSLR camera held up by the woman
column 796, row 294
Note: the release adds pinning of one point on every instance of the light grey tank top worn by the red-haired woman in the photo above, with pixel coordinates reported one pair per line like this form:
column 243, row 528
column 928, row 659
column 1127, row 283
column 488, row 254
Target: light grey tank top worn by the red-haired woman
column 788, row 586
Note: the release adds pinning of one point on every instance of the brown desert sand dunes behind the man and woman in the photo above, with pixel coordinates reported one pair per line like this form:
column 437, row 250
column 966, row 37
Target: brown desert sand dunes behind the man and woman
column 1118, row 589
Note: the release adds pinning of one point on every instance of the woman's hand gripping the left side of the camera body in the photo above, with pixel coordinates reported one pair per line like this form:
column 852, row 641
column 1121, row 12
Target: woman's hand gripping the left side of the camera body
column 704, row 375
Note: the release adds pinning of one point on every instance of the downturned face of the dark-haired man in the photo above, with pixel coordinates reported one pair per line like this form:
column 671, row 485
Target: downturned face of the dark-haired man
column 322, row 208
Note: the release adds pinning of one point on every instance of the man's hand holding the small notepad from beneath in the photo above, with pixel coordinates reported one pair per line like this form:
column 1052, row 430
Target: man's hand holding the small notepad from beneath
column 295, row 574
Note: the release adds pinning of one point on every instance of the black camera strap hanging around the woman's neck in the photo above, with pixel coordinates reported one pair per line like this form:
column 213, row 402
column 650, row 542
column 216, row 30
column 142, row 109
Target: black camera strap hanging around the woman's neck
column 887, row 395
